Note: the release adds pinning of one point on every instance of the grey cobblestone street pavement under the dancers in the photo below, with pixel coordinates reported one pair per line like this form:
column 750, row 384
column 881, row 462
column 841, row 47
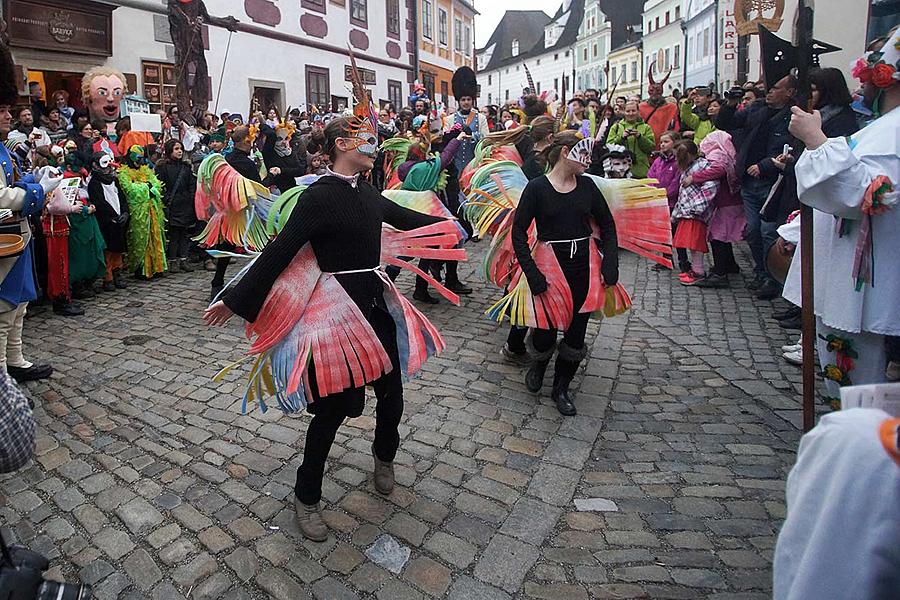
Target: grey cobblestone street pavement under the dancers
column 148, row 483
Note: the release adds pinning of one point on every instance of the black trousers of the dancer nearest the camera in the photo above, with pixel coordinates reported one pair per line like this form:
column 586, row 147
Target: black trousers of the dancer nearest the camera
column 329, row 413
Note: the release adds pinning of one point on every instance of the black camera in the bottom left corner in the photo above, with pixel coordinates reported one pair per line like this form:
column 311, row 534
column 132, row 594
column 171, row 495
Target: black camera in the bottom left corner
column 21, row 578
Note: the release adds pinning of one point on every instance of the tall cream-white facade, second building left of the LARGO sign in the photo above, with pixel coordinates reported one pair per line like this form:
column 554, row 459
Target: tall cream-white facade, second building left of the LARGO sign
column 663, row 41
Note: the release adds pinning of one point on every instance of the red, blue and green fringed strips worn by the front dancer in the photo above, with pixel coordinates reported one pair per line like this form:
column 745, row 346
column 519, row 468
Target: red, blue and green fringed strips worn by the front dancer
column 308, row 318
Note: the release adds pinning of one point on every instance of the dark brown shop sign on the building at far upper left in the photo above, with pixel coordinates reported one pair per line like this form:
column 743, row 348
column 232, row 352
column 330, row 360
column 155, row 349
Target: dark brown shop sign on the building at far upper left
column 81, row 27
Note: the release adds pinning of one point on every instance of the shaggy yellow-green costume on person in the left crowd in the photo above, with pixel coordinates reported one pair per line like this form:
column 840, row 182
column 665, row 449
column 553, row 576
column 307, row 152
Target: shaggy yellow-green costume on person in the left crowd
column 146, row 231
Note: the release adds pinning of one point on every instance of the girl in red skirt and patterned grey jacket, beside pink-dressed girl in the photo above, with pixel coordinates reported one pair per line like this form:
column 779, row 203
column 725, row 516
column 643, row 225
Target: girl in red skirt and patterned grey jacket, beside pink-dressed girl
column 693, row 211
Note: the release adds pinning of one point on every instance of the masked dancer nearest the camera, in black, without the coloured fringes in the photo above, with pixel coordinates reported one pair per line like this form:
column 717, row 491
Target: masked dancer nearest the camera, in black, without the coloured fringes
column 340, row 216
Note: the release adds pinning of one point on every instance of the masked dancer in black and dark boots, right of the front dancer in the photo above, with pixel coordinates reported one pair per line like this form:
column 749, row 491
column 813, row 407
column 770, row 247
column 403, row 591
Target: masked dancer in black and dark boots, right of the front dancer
column 562, row 204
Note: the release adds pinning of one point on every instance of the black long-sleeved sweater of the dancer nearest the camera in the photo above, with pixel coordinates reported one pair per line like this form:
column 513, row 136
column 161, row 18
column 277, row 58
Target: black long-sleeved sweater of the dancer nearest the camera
column 343, row 224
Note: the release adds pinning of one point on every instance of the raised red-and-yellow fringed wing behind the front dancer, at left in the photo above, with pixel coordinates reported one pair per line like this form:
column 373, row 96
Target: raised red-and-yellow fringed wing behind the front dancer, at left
column 240, row 206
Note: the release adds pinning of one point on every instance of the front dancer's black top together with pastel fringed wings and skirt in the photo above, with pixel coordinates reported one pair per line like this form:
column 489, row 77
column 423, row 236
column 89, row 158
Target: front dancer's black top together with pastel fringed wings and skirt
column 309, row 296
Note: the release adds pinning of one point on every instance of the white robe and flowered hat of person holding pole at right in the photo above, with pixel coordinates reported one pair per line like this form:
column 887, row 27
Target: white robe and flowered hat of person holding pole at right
column 852, row 185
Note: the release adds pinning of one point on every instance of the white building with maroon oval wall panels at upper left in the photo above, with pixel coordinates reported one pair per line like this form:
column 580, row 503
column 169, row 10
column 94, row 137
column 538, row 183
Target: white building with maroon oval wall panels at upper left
column 283, row 54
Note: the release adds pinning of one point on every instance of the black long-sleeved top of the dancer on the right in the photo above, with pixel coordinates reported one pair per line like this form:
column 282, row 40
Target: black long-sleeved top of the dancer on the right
column 564, row 217
